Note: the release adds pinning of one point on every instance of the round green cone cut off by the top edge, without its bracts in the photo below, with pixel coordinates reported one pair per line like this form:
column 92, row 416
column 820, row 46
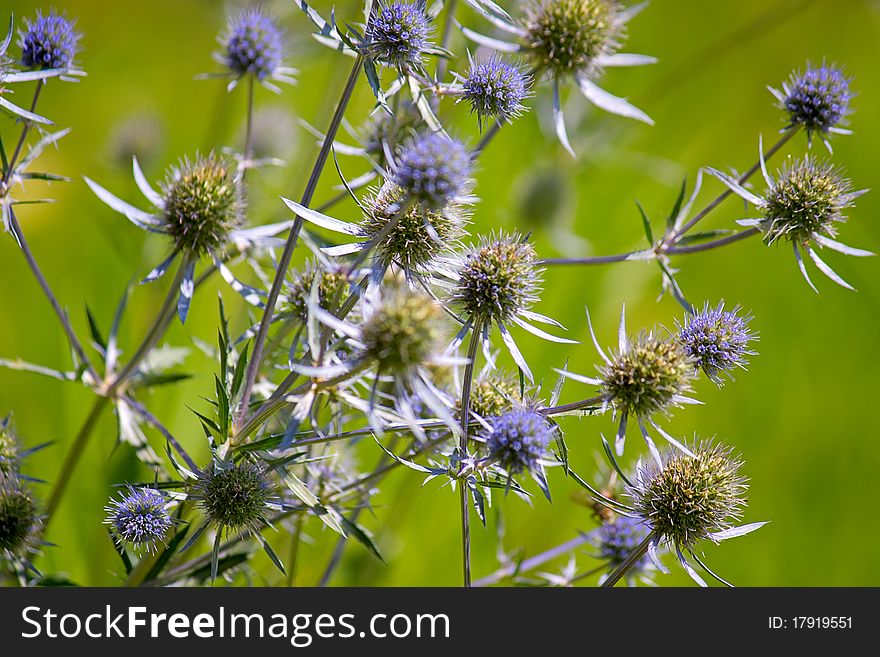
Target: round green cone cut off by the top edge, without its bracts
column 568, row 36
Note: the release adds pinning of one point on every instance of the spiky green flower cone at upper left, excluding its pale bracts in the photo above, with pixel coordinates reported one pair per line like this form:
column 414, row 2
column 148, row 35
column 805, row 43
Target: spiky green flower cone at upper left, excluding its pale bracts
column 201, row 204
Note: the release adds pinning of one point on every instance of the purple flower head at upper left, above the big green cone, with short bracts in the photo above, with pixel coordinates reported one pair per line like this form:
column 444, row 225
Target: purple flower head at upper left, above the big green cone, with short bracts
column 253, row 44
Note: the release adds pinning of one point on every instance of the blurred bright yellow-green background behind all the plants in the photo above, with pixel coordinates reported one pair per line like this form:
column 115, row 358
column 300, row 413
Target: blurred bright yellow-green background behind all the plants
column 801, row 416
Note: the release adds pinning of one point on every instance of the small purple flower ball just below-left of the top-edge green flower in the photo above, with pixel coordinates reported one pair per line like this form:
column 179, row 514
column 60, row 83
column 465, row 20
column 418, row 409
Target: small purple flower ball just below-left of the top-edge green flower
column 495, row 90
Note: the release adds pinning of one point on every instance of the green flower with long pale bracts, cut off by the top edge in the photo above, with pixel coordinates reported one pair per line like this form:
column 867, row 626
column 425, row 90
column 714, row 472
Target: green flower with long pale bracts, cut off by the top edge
column 568, row 40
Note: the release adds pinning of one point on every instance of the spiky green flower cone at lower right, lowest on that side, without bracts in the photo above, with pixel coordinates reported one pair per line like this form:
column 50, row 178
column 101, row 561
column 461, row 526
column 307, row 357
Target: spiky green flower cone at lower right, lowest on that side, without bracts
column 688, row 498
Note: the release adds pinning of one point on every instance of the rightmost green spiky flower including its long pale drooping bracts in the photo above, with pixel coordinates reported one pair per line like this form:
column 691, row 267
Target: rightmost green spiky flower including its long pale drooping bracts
column 803, row 205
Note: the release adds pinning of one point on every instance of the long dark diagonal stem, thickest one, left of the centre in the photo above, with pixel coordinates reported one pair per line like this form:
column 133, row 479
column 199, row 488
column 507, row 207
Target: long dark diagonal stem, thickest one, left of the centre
column 281, row 272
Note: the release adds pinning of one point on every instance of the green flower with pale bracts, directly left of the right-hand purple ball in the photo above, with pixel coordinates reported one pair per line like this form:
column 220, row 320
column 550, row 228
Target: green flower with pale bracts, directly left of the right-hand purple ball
column 647, row 375
